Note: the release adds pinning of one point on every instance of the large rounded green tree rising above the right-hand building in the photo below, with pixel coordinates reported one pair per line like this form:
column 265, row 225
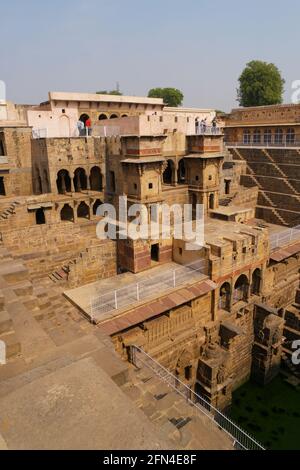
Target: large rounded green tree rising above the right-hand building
column 261, row 84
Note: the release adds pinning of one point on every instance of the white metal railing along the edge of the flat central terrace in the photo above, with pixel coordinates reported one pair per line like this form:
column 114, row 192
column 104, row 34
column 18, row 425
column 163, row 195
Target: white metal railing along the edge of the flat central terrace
column 138, row 291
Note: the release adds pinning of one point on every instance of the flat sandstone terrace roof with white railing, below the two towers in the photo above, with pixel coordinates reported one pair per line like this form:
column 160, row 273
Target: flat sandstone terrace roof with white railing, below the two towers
column 109, row 298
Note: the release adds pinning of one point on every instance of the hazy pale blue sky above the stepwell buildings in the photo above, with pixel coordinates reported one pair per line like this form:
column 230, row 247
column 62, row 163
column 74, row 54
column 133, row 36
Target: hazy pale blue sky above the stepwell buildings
column 198, row 46
